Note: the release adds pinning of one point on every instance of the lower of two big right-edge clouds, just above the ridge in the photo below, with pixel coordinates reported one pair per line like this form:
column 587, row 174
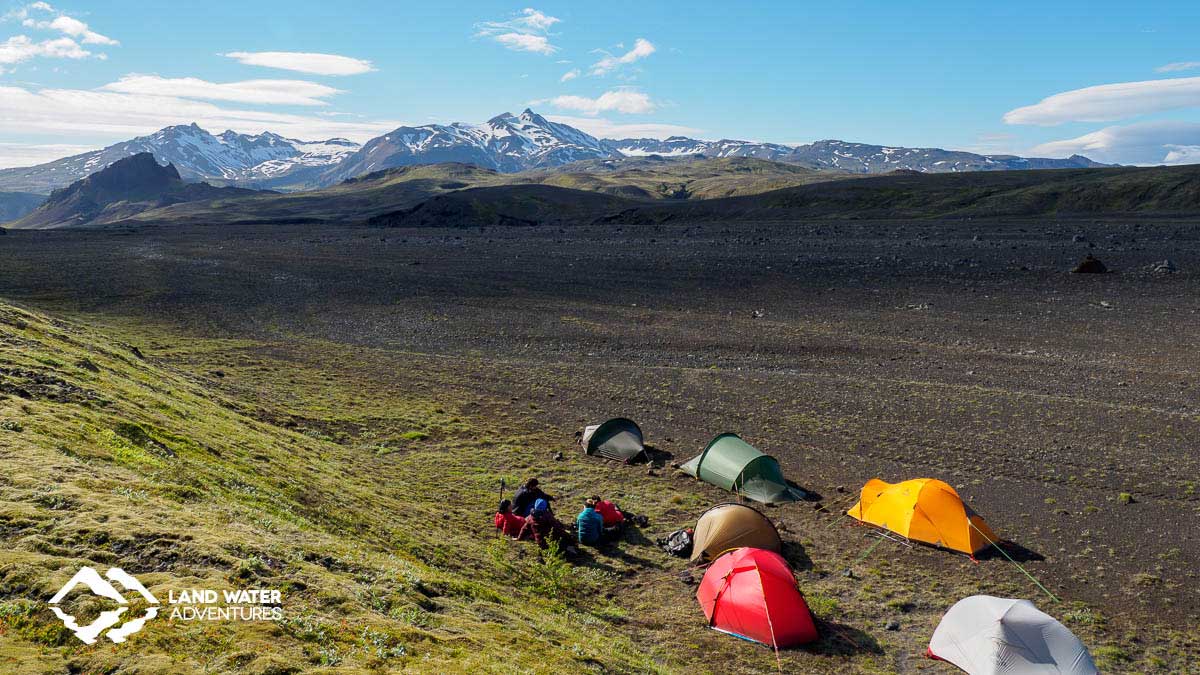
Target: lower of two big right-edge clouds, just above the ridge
column 1145, row 144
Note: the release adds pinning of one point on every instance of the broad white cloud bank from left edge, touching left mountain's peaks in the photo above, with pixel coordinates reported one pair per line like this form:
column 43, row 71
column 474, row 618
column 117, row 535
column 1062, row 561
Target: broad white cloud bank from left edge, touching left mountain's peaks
column 112, row 116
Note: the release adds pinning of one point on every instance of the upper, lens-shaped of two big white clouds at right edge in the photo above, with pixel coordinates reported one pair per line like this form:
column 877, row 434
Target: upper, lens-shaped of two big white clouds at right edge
column 1108, row 103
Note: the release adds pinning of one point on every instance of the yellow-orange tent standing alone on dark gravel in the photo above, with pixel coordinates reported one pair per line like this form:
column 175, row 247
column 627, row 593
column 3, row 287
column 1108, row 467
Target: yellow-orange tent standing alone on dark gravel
column 923, row 510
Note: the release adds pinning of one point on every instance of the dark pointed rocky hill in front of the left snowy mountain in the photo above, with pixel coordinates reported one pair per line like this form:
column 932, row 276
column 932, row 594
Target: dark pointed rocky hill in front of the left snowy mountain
column 121, row 192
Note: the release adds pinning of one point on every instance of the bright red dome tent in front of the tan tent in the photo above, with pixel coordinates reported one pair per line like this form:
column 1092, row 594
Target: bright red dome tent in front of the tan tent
column 753, row 595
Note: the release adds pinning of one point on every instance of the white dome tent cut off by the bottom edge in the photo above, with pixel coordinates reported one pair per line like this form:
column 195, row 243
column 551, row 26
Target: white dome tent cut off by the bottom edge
column 987, row 636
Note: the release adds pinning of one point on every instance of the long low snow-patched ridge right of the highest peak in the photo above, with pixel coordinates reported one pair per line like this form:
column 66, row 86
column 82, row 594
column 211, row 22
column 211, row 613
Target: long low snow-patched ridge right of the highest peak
column 841, row 156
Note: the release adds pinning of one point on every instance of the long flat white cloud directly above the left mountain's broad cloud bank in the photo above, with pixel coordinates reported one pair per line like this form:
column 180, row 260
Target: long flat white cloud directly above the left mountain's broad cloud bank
column 268, row 92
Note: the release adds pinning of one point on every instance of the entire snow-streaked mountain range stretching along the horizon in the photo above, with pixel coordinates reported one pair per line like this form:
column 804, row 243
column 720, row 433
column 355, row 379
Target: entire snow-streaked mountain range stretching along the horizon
column 506, row 144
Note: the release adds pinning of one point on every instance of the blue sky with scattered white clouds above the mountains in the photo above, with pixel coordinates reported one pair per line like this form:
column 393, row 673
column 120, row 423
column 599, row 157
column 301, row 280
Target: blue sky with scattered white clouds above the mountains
column 1115, row 81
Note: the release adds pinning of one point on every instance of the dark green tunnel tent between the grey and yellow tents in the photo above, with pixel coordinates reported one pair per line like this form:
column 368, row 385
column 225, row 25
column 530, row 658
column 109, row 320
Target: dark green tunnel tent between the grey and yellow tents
column 730, row 463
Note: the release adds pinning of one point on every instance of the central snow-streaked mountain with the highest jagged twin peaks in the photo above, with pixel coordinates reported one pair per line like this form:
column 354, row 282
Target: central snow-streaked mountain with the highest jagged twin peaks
column 506, row 144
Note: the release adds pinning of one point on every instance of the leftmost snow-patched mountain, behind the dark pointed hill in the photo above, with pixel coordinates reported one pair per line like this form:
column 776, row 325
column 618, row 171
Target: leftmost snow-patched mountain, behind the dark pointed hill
column 257, row 160
